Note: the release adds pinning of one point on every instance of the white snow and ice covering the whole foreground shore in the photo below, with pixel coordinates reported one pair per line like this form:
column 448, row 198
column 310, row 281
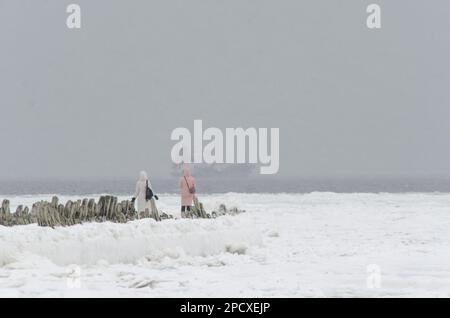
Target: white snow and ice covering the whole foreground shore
column 285, row 245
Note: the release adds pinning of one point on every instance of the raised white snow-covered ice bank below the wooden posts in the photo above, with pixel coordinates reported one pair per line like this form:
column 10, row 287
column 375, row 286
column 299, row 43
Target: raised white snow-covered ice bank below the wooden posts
column 91, row 243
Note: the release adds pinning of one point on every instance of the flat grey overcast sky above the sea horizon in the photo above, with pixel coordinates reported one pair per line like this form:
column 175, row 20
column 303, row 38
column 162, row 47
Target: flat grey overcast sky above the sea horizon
column 103, row 100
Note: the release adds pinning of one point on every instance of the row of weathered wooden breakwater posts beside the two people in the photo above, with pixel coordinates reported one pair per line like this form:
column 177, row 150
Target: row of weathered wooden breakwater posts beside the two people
column 108, row 208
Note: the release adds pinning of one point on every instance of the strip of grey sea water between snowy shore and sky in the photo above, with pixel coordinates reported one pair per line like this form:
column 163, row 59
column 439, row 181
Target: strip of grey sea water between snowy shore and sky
column 125, row 186
